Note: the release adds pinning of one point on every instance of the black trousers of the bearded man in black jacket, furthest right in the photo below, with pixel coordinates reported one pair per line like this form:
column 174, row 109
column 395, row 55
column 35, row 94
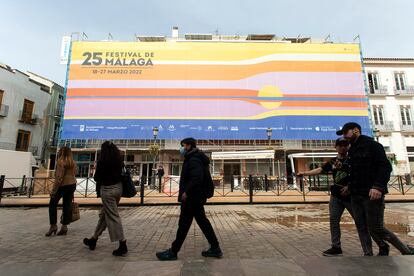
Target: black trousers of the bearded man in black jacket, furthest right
column 371, row 213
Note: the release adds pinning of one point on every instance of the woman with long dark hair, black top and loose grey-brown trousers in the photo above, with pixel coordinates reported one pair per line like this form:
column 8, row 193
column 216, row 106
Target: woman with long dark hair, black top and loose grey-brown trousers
column 109, row 188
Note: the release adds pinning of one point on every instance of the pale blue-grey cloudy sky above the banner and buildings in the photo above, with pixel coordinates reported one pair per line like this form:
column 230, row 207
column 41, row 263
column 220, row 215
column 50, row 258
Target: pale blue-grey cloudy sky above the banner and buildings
column 31, row 31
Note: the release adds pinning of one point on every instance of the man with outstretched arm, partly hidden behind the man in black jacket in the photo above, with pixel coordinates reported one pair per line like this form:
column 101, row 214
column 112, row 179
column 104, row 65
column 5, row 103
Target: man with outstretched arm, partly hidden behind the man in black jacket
column 340, row 198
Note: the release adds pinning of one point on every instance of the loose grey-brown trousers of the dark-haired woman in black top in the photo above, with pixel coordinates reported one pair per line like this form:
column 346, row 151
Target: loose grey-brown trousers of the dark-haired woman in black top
column 109, row 216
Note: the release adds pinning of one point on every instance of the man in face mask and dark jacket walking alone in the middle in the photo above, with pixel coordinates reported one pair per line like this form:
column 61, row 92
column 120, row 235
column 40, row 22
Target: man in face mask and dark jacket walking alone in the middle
column 192, row 196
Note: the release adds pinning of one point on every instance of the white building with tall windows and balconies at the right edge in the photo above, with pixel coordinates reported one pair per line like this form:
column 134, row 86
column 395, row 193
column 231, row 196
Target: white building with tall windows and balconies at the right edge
column 390, row 88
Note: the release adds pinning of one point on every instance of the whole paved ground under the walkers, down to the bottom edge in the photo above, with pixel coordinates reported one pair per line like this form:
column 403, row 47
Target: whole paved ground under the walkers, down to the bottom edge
column 269, row 239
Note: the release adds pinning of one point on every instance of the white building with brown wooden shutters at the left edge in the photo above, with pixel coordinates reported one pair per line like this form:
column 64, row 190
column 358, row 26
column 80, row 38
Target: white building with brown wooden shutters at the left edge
column 23, row 111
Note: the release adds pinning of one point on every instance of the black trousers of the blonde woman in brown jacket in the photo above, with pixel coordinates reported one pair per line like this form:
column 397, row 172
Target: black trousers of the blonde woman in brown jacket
column 65, row 192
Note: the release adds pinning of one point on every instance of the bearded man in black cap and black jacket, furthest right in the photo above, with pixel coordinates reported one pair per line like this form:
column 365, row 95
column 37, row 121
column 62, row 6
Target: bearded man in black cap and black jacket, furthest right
column 370, row 173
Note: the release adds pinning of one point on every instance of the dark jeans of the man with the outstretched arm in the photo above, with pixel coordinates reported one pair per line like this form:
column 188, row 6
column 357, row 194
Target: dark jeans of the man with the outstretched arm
column 337, row 207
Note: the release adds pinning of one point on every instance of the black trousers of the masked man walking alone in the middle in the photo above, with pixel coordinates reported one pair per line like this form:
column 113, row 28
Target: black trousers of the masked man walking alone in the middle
column 188, row 212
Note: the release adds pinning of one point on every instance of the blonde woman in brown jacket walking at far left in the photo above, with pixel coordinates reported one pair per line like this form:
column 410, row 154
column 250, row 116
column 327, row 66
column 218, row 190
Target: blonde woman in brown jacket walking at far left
column 64, row 187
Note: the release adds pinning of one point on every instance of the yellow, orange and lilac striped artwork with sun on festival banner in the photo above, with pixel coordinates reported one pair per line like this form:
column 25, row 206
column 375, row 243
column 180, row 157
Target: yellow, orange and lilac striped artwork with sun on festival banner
column 228, row 82
